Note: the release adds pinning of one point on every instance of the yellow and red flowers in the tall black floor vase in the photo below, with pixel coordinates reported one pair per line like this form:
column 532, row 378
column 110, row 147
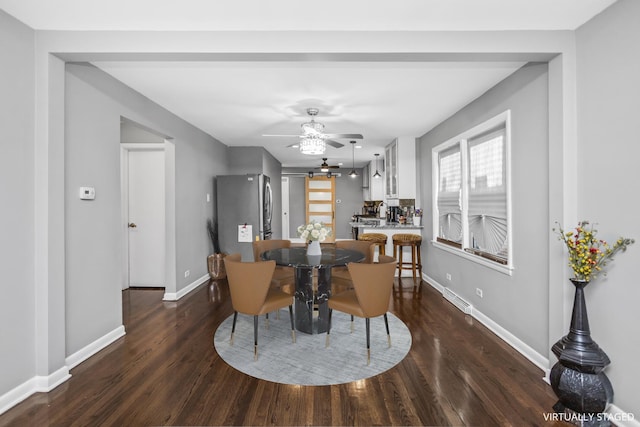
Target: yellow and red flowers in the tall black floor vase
column 589, row 255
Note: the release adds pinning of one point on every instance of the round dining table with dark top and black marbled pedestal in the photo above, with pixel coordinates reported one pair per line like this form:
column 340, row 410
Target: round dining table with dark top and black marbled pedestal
column 312, row 281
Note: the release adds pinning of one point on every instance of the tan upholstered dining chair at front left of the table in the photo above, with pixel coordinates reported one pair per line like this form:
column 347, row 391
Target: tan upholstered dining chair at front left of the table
column 249, row 286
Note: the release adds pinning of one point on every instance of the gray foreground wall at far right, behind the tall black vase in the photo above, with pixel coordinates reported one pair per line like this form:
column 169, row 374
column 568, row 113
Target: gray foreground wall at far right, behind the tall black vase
column 608, row 192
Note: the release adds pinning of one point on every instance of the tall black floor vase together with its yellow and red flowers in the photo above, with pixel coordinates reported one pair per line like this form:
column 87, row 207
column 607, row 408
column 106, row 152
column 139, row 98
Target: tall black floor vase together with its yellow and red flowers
column 578, row 380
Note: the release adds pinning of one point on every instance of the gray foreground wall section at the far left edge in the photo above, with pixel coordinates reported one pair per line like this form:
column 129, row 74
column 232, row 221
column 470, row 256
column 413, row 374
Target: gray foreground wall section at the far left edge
column 17, row 316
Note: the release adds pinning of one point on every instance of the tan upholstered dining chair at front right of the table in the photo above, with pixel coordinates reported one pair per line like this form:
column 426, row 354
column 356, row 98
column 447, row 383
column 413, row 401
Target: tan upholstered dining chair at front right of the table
column 372, row 285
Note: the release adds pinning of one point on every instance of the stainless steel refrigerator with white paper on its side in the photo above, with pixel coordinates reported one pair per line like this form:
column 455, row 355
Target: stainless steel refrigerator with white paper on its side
column 245, row 208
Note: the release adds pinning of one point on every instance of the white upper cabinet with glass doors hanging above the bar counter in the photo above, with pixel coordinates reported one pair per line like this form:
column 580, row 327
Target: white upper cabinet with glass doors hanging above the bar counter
column 400, row 168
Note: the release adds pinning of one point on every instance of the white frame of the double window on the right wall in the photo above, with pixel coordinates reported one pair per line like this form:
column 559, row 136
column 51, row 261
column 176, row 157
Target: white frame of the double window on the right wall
column 462, row 139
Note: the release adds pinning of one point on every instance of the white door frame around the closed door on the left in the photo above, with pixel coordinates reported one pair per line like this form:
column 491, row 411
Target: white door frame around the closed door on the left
column 169, row 209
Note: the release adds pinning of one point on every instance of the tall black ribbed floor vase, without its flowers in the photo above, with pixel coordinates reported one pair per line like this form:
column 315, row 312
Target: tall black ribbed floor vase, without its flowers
column 583, row 390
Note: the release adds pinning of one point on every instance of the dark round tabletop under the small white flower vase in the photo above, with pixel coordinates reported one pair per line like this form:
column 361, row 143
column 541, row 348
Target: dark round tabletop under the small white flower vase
column 297, row 257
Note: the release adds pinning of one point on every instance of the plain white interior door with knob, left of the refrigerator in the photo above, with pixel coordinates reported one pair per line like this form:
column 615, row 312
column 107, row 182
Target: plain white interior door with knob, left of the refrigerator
column 146, row 200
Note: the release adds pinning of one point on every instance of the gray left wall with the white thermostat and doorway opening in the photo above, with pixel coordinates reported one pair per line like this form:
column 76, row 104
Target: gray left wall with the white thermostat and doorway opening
column 94, row 104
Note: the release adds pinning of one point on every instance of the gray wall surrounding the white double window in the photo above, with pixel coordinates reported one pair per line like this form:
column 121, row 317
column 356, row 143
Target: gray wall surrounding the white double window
column 518, row 303
